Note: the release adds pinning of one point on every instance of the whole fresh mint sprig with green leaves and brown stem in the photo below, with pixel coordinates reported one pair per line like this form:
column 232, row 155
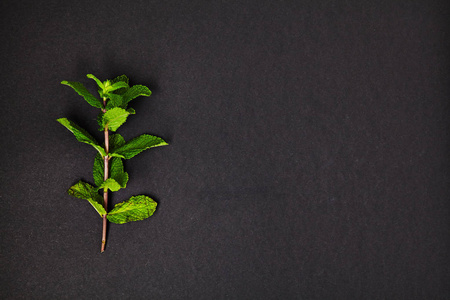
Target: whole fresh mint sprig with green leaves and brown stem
column 108, row 169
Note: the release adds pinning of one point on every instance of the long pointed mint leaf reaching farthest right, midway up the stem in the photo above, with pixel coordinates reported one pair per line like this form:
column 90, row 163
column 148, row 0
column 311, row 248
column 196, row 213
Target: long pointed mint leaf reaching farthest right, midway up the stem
column 137, row 145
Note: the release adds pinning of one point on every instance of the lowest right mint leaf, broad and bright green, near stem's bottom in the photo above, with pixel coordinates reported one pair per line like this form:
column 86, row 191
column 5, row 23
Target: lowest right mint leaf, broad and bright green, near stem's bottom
column 137, row 208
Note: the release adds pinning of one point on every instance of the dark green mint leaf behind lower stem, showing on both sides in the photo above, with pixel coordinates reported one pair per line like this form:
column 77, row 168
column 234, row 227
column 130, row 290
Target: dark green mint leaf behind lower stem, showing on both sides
column 116, row 171
